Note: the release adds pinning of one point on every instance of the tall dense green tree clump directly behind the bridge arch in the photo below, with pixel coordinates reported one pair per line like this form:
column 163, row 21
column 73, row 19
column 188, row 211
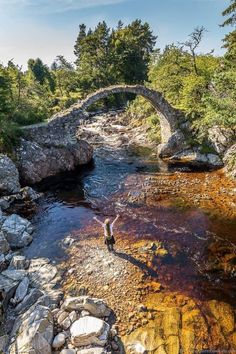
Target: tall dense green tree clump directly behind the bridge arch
column 106, row 57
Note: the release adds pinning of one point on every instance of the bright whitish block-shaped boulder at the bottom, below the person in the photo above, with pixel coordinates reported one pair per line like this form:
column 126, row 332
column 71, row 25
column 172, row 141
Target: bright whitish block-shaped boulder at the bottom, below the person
column 89, row 331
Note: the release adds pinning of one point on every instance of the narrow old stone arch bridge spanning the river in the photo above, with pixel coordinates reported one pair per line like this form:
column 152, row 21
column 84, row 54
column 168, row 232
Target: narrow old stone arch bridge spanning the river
column 170, row 118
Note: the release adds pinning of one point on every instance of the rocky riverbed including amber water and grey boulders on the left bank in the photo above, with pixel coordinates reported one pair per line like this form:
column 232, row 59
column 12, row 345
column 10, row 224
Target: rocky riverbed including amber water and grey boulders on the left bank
column 168, row 288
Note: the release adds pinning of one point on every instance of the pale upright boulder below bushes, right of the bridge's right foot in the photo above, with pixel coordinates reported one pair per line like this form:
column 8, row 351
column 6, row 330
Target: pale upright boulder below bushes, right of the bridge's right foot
column 221, row 138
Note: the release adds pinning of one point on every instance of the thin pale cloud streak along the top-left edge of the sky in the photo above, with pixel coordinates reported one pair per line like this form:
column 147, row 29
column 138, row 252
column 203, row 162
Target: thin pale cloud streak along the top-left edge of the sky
column 52, row 6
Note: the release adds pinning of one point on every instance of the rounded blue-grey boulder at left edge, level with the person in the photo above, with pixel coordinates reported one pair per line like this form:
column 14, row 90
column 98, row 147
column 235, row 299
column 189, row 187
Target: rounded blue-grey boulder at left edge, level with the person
column 17, row 231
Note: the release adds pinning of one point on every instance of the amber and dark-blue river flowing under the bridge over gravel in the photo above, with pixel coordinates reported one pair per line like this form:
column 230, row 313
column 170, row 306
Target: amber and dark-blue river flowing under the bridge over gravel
column 175, row 242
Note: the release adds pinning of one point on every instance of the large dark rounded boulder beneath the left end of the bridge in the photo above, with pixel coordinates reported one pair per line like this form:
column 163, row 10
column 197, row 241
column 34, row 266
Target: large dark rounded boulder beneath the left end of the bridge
column 36, row 161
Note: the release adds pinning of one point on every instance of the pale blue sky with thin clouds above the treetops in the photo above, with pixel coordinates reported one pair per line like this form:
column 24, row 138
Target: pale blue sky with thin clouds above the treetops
column 47, row 28
